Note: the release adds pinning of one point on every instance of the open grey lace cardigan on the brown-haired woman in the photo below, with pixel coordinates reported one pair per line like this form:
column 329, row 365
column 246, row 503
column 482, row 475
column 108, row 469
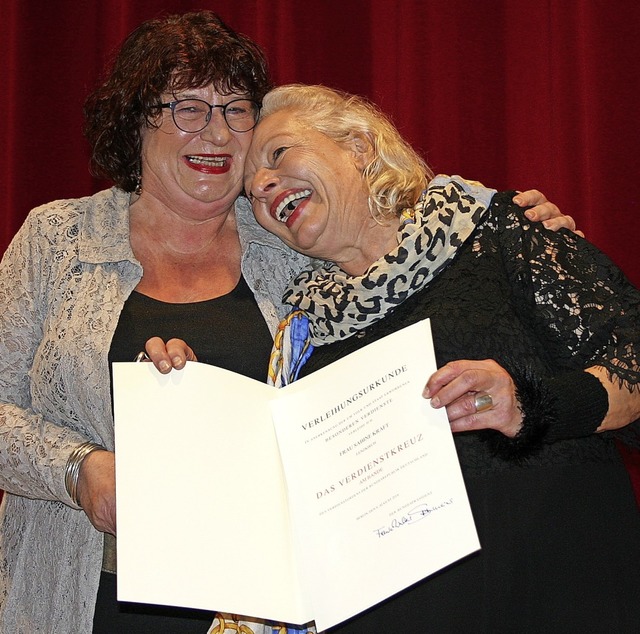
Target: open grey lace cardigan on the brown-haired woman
column 63, row 282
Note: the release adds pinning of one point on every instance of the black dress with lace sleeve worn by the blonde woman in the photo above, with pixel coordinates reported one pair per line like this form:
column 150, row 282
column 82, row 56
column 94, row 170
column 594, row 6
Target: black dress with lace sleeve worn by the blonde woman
column 559, row 528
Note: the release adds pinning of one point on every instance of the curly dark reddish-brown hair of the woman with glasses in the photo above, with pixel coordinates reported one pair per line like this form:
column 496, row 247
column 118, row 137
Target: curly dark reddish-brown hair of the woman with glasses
column 191, row 50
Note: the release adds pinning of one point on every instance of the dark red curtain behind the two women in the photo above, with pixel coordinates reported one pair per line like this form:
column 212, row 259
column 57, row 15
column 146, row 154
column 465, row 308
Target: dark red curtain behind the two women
column 534, row 93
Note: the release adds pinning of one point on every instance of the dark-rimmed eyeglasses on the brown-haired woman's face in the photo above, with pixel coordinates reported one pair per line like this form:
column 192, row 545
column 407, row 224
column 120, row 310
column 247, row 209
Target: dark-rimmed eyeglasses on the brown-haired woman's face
column 193, row 115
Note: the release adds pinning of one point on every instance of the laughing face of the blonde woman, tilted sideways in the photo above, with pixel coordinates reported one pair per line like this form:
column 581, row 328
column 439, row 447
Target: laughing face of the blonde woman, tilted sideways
column 309, row 191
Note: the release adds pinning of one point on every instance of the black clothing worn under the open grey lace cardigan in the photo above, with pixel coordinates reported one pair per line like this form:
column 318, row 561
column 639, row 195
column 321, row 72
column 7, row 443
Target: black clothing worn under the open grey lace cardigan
column 227, row 331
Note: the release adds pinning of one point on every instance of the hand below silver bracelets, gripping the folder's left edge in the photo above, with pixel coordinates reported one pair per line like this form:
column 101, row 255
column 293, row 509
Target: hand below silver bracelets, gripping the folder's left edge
column 97, row 489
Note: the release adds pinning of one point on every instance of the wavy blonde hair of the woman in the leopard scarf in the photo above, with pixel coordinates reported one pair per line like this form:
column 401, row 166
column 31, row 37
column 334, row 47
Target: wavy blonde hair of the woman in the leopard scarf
column 396, row 175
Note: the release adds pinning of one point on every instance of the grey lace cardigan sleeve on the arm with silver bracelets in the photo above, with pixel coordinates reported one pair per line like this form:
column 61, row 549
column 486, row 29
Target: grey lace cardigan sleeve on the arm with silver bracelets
column 33, row 451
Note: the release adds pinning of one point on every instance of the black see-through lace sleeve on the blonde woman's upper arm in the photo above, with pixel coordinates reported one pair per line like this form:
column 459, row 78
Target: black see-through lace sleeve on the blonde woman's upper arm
column 582, row 303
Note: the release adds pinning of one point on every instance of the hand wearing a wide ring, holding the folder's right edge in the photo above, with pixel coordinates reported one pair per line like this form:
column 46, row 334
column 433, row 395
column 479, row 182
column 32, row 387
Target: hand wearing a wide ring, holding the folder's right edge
column 477, row 395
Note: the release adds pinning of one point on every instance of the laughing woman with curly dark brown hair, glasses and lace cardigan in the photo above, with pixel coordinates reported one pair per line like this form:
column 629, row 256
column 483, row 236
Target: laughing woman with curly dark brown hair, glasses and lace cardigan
column 171, row 250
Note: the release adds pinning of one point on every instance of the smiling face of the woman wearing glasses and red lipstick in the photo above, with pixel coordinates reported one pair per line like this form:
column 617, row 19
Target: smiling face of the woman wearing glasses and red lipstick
column 194, row 170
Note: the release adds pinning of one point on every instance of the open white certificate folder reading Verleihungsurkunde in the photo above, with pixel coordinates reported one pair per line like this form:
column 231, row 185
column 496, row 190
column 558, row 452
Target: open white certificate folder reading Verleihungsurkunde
column 312, row 502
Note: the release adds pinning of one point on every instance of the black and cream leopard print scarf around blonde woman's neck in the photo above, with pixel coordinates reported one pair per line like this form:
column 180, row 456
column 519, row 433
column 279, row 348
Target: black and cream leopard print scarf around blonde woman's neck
column 338, row 305
